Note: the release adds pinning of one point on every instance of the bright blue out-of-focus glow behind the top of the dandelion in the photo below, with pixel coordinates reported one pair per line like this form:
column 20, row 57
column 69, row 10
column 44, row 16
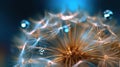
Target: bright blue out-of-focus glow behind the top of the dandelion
column 71, row 5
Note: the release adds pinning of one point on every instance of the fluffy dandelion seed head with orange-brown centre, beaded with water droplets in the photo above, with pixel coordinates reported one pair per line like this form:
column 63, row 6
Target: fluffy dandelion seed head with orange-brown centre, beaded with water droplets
column 69, row 40
